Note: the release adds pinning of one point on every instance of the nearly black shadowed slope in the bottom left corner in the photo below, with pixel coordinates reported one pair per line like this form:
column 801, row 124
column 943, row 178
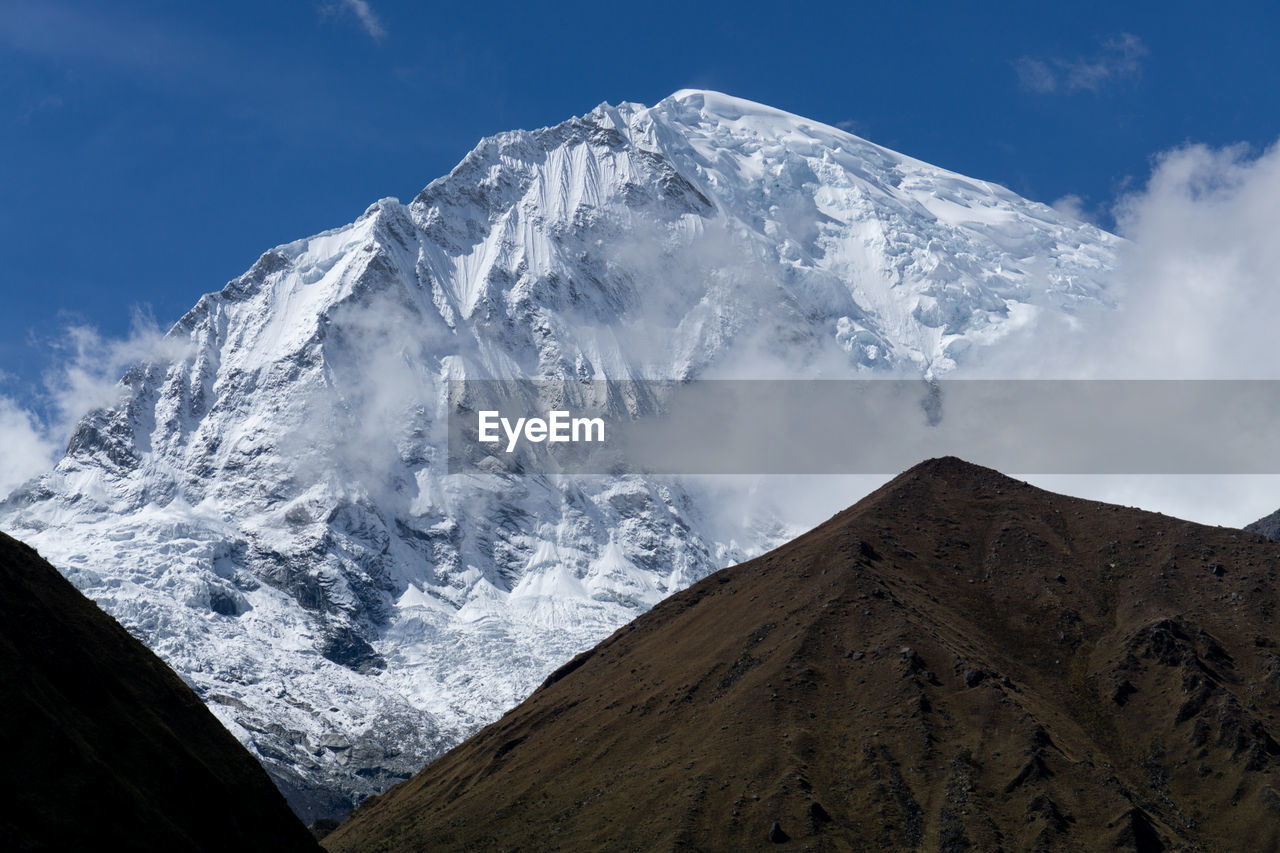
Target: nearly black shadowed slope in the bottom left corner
column 106, row 747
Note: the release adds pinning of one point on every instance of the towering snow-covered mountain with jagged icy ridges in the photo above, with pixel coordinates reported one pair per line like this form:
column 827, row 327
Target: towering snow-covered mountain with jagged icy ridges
column 268, row 504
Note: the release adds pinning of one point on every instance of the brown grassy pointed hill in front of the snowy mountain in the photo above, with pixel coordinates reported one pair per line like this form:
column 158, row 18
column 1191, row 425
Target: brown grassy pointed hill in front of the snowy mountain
column 961, row 662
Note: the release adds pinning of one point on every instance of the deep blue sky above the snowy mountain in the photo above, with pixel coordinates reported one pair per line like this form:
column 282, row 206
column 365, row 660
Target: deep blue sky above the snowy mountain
column 153, row 150
